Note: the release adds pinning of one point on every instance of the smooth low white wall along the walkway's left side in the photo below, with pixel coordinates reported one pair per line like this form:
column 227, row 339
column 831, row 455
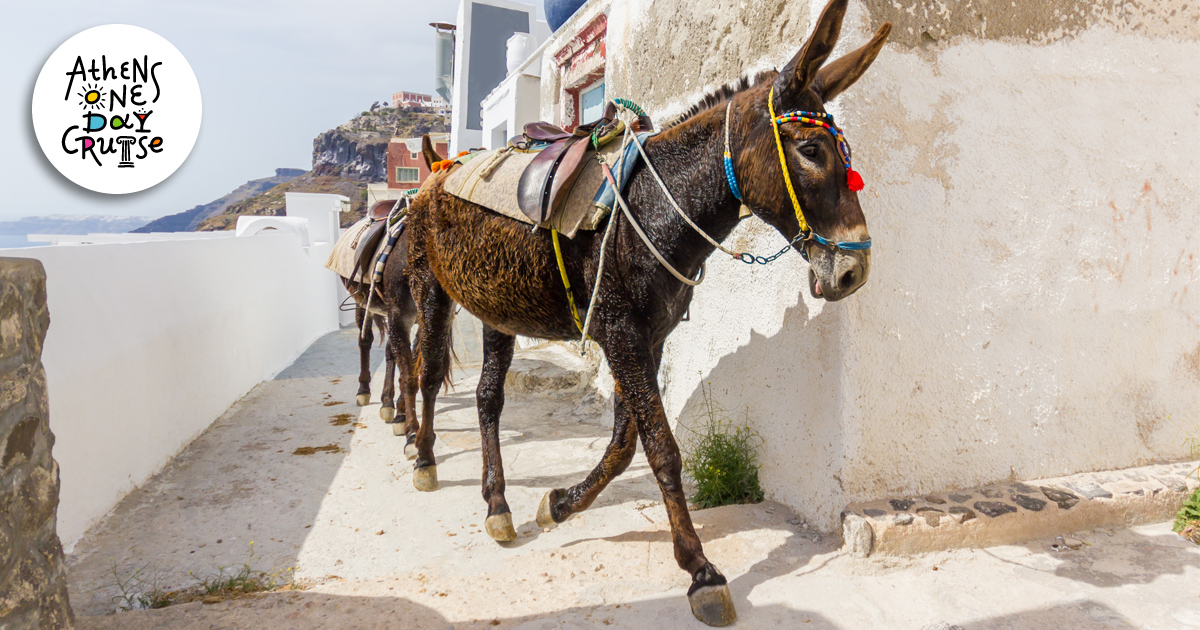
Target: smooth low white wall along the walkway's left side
column 151, row 343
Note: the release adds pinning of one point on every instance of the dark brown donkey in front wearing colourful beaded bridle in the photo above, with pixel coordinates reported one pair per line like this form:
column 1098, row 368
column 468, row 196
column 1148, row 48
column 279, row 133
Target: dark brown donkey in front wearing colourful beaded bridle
column 508, row 278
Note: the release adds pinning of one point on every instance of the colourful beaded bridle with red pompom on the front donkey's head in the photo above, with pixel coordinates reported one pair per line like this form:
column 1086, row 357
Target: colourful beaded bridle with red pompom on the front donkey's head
column 854, row 181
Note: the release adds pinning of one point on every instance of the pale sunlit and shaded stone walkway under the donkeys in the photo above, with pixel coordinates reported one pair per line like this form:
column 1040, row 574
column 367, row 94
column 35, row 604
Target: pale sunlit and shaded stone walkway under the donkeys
column 373, row 553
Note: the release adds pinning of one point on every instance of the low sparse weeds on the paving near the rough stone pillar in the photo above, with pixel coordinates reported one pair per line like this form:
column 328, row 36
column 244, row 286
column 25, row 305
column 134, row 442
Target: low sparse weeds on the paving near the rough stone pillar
column 141, row 590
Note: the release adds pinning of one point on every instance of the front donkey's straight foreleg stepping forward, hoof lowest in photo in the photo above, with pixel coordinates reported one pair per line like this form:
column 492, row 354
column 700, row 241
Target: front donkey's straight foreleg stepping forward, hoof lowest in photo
column 633, row 368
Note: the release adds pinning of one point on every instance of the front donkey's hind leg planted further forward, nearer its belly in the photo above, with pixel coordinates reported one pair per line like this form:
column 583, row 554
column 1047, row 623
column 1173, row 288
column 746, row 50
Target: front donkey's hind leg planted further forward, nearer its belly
column 490, row 403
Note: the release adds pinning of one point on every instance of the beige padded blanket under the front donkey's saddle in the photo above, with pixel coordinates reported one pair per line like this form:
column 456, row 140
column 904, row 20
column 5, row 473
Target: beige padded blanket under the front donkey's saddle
column 490, row 179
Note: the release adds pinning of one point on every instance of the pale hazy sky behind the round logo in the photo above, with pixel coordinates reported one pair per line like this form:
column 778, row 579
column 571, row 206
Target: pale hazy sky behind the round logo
column 273, row 76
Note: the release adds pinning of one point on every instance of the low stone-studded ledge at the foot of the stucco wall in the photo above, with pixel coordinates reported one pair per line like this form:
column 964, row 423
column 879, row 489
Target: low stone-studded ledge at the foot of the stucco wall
column 1004, row 514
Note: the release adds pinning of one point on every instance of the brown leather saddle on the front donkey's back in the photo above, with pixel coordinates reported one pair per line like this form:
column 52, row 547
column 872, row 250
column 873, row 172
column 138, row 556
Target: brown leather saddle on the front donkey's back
column 548, row 181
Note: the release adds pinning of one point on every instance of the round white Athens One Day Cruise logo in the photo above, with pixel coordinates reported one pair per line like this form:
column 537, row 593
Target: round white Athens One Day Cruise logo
column 117, row 110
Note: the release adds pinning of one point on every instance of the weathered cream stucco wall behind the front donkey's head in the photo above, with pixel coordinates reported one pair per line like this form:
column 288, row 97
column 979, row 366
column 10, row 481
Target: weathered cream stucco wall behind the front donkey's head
column 1033, row 175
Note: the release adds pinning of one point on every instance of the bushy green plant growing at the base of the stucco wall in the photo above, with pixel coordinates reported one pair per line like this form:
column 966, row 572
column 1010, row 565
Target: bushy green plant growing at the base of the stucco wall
column 722, row 458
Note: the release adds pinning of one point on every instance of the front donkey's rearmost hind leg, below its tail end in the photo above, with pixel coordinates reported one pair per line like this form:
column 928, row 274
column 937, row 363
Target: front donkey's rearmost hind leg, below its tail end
column 436, row 316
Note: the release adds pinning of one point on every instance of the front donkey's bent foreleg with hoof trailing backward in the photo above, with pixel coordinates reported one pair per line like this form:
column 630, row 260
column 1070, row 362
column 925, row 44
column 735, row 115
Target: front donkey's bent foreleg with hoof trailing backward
column 559, row 506
